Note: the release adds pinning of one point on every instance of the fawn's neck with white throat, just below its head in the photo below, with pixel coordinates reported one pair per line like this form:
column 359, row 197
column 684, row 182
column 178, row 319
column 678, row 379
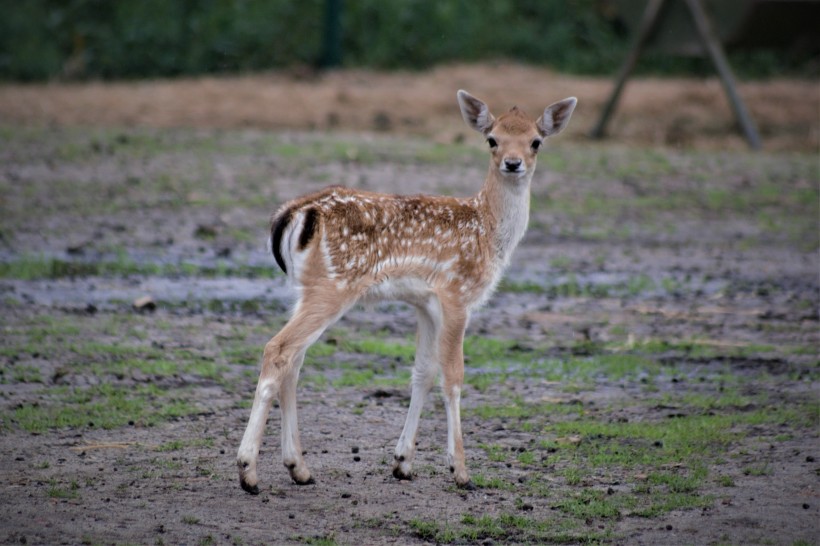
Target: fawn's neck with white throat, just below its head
column 507, row 203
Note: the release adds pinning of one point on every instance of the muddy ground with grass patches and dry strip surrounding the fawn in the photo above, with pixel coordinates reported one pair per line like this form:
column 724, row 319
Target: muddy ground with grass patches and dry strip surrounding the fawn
column 646, row 374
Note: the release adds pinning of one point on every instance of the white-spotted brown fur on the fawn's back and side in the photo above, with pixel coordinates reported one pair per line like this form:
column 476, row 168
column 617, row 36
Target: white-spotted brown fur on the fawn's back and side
column 371, row 236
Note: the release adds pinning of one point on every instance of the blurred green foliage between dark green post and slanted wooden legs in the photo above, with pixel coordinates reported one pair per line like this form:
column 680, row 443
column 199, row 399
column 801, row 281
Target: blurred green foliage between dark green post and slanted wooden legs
column 569, row 35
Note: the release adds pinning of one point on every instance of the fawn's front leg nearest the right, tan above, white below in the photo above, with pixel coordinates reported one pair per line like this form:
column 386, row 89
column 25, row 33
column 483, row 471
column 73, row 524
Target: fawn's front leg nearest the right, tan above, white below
column 452, row 364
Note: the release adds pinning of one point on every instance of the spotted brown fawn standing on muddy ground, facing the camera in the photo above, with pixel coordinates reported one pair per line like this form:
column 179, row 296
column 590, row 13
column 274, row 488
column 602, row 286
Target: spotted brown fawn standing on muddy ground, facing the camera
column 442, row 255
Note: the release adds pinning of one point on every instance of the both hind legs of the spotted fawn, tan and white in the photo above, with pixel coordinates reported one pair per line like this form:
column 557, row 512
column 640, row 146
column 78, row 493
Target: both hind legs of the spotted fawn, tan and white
column 281, row 362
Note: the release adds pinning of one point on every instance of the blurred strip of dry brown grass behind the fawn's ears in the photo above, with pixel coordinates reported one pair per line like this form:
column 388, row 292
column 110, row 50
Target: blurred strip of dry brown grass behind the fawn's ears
column 666, row 112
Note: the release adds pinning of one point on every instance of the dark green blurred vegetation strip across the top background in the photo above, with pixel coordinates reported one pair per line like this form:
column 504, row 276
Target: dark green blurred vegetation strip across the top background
column 126, row 39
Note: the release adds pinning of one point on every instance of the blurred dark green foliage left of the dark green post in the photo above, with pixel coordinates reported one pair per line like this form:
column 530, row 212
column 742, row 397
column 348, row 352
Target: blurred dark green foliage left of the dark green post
column 41, row 39
